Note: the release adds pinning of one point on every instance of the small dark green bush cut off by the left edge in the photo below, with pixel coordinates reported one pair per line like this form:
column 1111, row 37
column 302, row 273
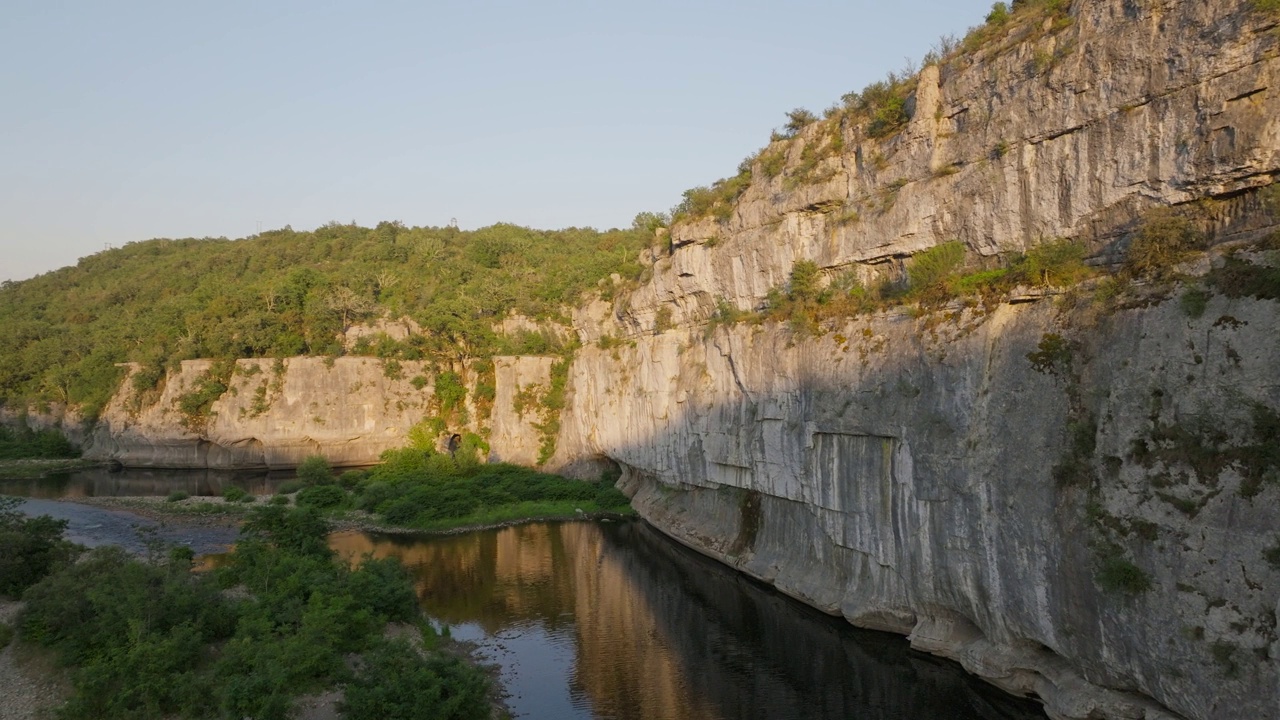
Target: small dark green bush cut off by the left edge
column 33, row 548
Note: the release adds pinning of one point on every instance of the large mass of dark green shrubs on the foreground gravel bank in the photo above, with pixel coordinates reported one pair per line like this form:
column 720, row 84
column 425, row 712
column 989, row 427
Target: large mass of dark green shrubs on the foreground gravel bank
column 153, row 640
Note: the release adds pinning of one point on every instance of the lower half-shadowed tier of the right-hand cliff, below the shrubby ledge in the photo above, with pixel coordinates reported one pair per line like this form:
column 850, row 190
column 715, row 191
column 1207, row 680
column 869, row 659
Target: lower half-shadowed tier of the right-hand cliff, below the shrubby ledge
column 903, row 476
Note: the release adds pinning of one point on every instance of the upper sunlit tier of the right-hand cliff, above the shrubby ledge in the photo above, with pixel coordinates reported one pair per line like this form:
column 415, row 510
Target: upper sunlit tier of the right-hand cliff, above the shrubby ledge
column 1136, row 104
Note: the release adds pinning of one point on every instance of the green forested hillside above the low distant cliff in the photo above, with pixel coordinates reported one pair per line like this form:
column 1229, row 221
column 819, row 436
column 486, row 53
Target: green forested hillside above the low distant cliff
column 285, row 293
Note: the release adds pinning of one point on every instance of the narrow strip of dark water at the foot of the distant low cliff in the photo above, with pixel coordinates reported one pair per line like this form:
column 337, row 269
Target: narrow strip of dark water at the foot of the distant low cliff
column 144, row 482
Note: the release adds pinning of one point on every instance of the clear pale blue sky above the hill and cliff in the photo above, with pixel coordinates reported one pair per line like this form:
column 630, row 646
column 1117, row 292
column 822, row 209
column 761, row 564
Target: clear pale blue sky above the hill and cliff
column 136, row 120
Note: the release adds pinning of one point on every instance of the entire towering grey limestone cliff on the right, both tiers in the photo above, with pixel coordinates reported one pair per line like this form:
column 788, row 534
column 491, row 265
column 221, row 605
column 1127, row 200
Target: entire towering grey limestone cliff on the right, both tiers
column 1096, row 532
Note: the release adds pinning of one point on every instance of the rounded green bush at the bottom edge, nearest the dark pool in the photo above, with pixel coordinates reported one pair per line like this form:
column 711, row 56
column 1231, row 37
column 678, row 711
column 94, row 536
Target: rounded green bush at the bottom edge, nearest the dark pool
column 396, row 683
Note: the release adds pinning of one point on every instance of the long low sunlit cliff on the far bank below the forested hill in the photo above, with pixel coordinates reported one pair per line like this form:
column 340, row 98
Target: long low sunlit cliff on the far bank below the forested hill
column 275, row 414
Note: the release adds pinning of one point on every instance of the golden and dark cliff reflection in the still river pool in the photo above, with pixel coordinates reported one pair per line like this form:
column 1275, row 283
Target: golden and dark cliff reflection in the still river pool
column 664, row 634
